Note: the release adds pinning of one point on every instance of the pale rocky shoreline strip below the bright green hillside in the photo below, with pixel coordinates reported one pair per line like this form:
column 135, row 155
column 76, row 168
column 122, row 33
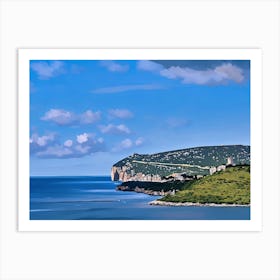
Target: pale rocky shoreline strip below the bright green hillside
column 186, row 204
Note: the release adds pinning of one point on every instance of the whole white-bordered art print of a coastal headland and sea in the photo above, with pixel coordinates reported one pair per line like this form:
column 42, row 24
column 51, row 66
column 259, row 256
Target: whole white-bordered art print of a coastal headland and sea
column 140, row 139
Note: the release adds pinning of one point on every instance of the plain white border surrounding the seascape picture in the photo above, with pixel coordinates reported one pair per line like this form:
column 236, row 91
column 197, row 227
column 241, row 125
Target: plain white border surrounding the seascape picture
column 254, row 55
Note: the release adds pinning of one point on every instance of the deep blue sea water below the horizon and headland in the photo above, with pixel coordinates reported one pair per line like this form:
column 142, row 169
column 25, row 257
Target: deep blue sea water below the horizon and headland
column 96, row 198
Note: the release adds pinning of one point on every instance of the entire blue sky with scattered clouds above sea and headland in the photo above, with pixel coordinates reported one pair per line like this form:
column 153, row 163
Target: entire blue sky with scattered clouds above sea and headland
column 86, row 115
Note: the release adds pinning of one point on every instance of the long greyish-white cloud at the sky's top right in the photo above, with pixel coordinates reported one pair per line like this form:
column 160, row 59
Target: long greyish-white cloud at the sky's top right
column 219, row 75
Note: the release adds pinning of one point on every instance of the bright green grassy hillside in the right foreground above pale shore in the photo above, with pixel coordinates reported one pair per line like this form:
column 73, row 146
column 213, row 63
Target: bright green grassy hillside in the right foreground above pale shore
column 231, row 186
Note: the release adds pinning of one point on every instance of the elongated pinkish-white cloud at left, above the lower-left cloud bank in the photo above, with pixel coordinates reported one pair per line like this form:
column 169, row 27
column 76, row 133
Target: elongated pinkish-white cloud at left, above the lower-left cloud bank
column 62, row 117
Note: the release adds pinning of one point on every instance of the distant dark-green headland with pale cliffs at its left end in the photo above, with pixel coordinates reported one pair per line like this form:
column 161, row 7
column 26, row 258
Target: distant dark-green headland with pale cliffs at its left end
column 191, row 161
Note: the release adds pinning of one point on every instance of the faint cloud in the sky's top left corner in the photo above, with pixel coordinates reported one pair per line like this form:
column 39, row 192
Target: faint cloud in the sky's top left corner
column 47, row 70
